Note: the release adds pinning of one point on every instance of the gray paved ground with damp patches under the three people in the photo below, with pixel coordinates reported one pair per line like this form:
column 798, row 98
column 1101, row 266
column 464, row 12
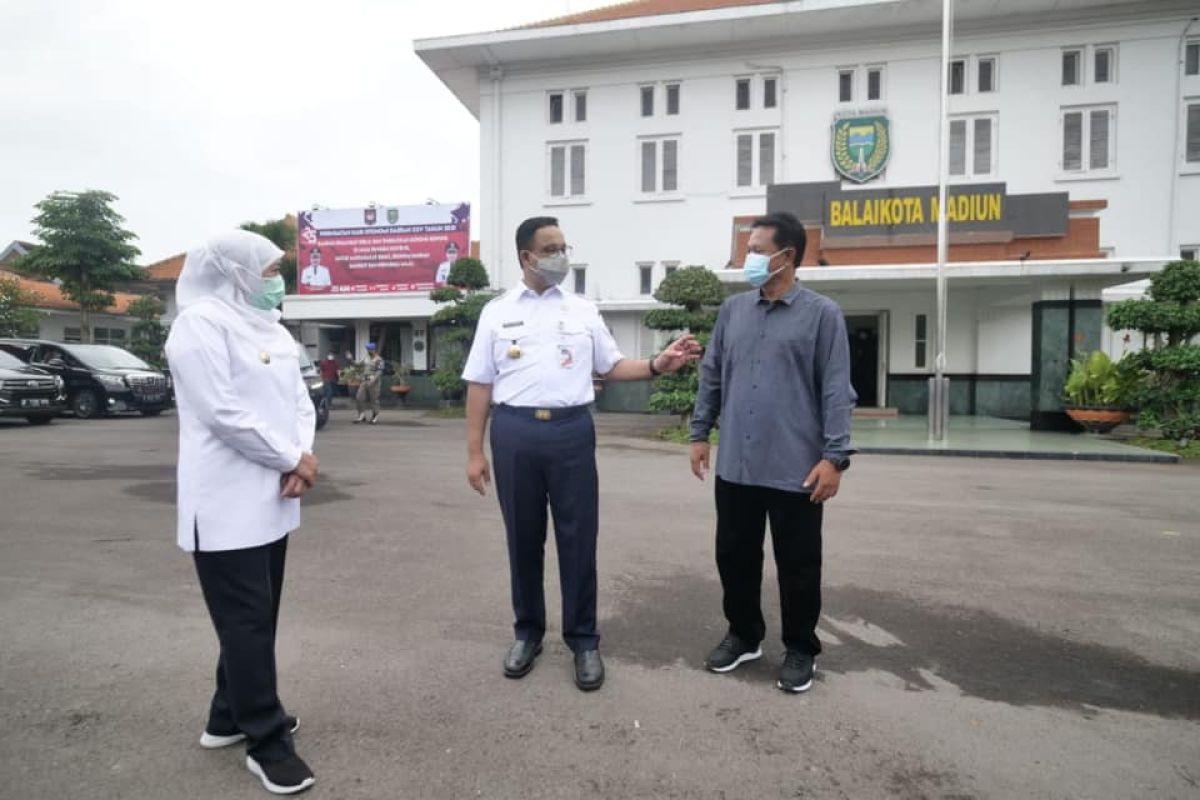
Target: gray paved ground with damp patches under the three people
column 994, row 630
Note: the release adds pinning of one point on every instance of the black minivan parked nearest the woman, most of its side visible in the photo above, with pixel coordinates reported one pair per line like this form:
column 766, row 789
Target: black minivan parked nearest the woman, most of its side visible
column 100, row 380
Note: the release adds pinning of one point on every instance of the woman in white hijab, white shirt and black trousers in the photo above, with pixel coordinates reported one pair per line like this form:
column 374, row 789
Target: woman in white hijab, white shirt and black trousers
column 247, row 428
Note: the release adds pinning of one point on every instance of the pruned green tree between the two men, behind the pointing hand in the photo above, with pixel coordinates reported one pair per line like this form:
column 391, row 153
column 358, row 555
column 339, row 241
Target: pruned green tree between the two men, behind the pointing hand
column 697, row 293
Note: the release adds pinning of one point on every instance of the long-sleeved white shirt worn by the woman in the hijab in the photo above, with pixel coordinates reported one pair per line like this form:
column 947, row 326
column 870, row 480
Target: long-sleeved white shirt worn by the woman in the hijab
column 245, row 419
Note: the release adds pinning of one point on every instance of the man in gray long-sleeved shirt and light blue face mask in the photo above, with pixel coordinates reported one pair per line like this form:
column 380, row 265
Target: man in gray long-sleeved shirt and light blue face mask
column 777, row 376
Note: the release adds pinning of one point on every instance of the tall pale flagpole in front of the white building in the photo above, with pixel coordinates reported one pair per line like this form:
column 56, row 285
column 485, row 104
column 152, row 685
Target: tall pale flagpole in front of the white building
column 939, row 389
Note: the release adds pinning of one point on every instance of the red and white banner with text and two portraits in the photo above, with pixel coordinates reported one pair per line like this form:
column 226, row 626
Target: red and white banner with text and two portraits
column 380, row 249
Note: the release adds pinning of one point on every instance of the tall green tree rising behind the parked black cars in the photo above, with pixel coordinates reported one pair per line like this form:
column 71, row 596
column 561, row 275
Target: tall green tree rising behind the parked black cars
column 85, row 249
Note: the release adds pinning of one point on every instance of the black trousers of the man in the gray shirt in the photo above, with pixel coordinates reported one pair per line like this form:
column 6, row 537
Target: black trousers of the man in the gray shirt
column 742, row 515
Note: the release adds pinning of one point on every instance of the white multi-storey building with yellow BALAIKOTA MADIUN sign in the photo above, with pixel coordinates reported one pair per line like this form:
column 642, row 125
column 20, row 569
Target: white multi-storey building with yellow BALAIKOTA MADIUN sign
column 657, row 137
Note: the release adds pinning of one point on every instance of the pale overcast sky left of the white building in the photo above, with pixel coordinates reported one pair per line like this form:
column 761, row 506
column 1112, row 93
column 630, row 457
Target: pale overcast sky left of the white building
column 203, row 116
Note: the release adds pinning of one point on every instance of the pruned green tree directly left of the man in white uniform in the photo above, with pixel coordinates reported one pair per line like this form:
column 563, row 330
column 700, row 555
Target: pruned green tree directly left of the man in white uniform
column 463, row 302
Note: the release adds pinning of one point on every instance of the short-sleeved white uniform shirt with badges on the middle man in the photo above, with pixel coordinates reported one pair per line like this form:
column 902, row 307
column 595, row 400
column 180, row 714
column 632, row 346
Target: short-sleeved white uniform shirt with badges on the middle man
column 541, row 351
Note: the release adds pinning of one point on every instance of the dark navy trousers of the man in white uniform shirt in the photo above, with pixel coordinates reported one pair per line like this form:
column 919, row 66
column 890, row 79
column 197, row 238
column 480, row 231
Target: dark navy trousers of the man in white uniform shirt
column 539, row 462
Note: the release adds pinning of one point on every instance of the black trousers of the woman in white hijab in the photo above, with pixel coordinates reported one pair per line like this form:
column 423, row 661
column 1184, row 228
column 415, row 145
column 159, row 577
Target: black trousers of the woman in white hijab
column 243, row 591
